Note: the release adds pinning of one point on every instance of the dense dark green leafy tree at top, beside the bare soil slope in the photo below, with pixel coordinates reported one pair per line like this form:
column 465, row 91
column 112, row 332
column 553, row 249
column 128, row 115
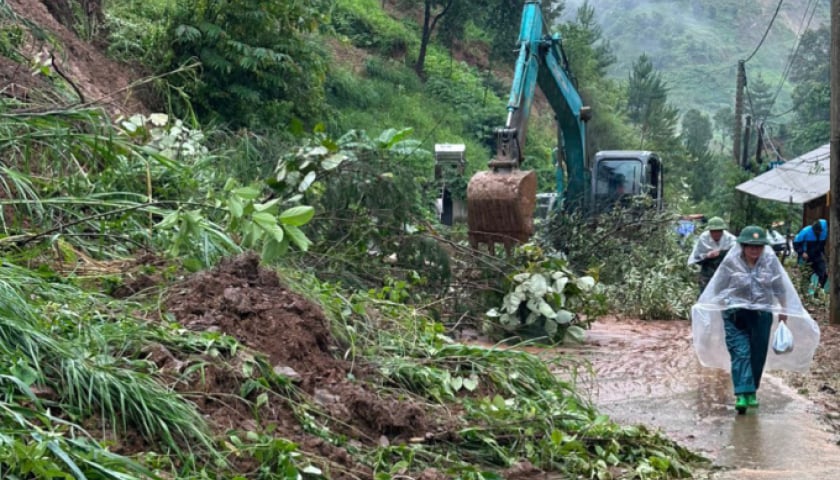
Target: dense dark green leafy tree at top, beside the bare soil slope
column 251, row 53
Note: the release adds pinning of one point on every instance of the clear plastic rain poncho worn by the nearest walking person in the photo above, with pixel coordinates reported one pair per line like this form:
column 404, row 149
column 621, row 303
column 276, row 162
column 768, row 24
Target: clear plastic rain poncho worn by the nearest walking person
column 765, row 287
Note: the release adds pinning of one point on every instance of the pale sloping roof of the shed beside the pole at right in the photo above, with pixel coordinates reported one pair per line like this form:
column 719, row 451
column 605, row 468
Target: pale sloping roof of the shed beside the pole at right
column 799, row 180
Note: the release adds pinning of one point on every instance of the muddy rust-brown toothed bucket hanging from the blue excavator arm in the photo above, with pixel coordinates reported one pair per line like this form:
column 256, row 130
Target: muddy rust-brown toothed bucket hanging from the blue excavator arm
column 500, row 207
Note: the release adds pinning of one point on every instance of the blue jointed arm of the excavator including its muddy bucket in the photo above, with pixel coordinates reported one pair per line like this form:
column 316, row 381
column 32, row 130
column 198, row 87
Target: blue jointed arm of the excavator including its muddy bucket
column 501, row 201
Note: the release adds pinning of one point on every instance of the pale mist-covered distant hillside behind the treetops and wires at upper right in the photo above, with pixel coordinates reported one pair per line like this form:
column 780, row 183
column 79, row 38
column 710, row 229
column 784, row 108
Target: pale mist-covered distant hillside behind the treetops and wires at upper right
column 696, row 44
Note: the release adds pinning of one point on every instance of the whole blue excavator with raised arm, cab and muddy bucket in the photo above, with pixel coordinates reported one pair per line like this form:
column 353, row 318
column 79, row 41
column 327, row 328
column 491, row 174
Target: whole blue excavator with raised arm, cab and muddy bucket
column 501, row 200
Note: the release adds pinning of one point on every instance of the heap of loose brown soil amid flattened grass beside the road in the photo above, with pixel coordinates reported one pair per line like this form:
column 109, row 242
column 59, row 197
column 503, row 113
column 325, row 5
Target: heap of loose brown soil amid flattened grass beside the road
column 240, row 299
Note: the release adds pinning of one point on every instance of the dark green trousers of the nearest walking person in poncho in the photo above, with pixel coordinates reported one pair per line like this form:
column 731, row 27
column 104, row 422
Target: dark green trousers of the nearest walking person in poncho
column 747, row 339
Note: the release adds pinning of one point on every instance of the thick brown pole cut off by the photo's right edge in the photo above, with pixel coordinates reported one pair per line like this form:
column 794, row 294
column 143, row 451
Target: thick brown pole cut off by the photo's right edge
column 834, row 145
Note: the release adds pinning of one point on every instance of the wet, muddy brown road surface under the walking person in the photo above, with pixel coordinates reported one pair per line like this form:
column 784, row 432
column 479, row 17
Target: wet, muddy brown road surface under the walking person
column 647, row 373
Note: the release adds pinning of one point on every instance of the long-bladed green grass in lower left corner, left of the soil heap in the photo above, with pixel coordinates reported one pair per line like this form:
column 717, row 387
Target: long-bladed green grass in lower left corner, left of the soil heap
column 61, row 338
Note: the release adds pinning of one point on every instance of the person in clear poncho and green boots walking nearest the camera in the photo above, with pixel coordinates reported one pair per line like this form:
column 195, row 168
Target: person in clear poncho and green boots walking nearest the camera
column 732, row 321
